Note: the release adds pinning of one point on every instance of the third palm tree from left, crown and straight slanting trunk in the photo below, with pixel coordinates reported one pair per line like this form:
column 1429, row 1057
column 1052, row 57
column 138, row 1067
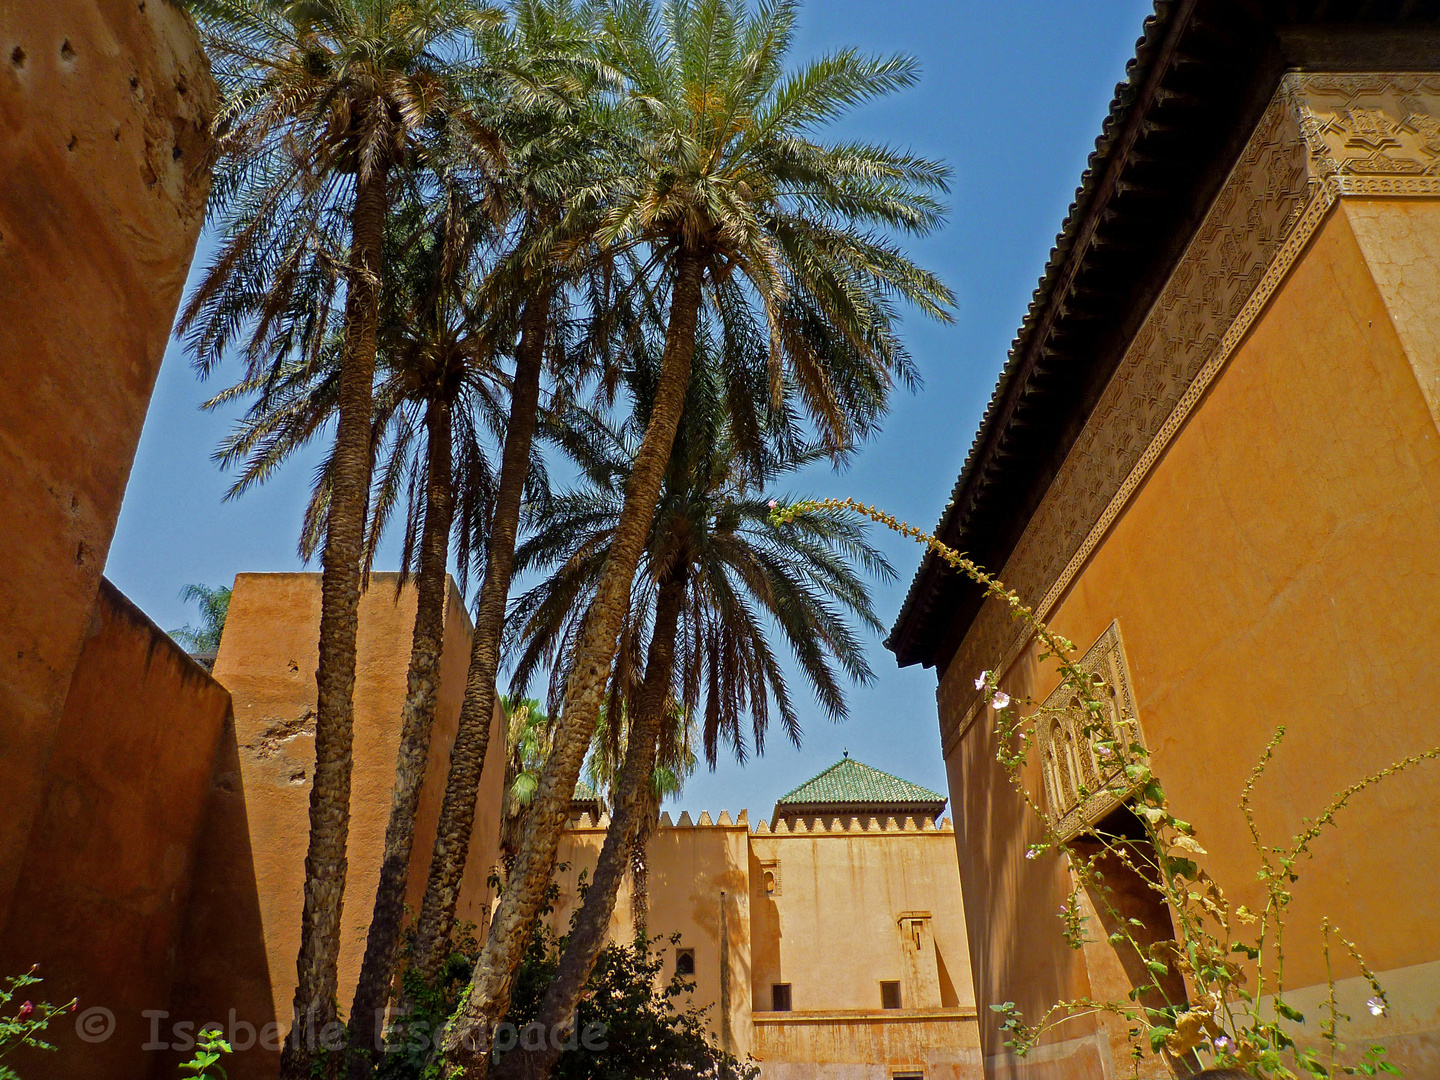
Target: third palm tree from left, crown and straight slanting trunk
column 561, row 148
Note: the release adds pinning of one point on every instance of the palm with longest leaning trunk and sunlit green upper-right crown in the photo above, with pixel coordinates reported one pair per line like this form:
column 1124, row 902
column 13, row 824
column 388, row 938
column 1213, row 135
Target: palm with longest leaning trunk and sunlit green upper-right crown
column 726, row 192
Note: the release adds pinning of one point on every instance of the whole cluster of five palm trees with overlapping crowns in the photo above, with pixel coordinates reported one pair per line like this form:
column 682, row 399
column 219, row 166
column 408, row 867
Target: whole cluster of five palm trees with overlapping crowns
column 456, row 241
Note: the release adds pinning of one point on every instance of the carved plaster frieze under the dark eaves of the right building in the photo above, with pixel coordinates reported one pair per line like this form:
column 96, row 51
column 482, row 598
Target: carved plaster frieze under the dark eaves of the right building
column 1323, row 138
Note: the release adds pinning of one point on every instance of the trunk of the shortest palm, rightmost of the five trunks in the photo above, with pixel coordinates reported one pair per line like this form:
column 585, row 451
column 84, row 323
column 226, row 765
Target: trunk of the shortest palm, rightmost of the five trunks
column 593, row 924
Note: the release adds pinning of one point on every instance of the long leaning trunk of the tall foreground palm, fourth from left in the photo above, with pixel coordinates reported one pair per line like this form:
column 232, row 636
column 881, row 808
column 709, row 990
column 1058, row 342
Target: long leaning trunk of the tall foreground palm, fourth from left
column 489, row 999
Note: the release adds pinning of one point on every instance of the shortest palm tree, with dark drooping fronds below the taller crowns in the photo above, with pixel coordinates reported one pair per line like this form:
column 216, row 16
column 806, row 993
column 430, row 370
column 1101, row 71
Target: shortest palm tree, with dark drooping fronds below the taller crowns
column 716, row 577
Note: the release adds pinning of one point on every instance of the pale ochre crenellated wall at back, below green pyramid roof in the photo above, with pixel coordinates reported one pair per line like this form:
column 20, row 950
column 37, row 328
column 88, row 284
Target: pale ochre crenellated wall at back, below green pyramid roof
column 832, row 931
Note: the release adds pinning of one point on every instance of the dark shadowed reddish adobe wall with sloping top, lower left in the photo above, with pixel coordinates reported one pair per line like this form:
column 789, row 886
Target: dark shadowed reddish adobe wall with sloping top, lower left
column 104, row 882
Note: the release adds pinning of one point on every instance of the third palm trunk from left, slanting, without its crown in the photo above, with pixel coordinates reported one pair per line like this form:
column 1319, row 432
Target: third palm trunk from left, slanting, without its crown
column 477, row 711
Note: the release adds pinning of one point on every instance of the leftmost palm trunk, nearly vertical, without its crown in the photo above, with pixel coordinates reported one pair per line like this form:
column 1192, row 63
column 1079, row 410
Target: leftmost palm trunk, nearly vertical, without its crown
column 316, row 967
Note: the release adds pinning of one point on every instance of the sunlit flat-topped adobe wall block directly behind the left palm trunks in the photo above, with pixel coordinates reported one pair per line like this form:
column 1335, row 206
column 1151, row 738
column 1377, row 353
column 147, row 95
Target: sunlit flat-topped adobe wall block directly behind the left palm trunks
column 246, row 924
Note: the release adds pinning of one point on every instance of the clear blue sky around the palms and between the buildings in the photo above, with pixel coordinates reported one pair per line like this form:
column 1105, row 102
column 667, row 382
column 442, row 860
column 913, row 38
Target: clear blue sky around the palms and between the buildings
column 1013, row 94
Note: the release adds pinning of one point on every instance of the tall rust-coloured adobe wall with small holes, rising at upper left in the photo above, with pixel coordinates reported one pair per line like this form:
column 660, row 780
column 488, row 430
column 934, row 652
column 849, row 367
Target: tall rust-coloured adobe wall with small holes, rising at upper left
column 104, row 110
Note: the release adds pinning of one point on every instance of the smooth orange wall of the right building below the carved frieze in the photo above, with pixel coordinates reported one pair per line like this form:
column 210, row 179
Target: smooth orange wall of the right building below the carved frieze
column 1281, row 565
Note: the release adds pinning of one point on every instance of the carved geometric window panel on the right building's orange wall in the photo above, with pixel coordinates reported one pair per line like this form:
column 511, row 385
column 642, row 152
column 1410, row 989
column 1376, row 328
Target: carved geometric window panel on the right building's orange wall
column 1084, row 784
